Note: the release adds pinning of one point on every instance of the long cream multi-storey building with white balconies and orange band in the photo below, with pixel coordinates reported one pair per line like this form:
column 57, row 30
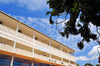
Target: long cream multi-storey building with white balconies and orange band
column 22, row 45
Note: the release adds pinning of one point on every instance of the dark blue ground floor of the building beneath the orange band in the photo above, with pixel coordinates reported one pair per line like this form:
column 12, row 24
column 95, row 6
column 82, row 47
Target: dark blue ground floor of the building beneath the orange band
column 5, row 60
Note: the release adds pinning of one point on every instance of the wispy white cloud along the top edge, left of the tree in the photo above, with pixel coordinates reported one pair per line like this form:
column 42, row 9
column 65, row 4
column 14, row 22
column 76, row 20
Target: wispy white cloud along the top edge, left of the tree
column 29, row 4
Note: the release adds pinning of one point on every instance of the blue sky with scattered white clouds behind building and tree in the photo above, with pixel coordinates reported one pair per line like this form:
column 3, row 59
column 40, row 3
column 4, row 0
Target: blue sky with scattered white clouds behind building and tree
column 32, row 13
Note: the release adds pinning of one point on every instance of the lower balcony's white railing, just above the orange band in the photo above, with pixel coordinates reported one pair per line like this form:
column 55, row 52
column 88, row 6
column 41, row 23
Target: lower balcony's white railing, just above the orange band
column 19, row 51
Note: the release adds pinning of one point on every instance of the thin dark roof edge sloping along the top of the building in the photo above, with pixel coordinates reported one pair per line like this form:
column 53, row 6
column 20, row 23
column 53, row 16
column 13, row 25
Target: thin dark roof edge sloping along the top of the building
column 34, row 29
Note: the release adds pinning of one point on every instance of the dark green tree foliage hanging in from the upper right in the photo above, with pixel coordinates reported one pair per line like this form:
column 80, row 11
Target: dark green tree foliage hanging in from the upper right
column 88, row 11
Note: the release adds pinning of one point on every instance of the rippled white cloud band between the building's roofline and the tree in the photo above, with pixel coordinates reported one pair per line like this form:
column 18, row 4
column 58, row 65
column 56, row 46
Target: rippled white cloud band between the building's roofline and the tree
column 42, row 24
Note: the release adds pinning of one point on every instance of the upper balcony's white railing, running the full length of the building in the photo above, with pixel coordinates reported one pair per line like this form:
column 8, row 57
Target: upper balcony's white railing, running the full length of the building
column 9, row 33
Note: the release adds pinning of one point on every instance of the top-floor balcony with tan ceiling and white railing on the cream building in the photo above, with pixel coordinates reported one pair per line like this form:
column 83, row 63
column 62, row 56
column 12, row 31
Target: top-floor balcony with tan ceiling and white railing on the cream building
column 25, row 37
